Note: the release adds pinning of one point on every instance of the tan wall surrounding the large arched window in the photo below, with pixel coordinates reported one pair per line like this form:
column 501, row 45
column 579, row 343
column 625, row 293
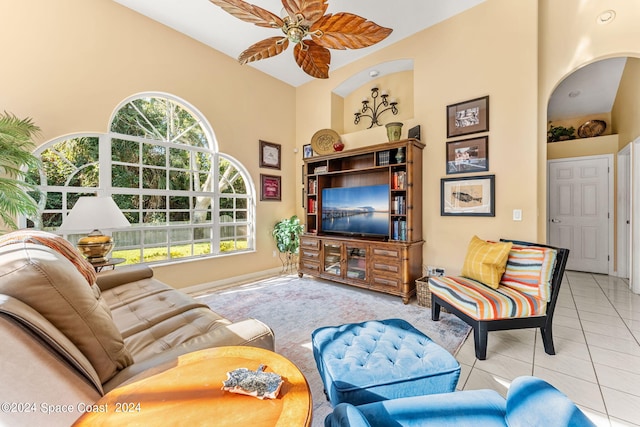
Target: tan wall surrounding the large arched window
column 67, row 64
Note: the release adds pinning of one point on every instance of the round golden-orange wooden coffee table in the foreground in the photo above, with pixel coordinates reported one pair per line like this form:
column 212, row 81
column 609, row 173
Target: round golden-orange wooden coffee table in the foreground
column 188, row 392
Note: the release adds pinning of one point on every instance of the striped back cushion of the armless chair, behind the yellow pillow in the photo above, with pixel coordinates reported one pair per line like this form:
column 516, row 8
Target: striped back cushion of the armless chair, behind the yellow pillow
column 529, row 270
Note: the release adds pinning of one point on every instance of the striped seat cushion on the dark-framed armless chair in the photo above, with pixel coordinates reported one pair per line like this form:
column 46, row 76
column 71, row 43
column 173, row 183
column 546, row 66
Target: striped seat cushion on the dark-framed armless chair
column 484, row 303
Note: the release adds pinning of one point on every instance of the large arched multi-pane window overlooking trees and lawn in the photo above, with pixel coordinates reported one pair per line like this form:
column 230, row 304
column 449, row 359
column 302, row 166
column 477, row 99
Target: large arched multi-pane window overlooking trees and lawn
column 159, row 162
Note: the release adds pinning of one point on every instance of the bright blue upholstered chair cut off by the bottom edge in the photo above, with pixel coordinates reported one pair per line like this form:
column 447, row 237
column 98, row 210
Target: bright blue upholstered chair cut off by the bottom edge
column 530, row 402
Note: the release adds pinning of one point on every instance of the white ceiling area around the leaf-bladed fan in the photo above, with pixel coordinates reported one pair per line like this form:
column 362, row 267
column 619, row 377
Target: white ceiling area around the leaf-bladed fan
column 209, row 24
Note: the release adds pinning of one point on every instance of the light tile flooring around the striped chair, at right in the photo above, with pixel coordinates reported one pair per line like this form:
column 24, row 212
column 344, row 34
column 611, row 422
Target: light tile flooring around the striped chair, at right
column 596, row 331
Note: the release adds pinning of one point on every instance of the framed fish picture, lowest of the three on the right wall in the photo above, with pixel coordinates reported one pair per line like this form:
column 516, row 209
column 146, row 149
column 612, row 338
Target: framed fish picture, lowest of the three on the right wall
column 469, row 196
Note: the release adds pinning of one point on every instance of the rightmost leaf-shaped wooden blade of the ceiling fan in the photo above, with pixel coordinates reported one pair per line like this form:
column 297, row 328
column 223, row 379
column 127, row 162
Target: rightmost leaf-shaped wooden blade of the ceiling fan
column 348, row 31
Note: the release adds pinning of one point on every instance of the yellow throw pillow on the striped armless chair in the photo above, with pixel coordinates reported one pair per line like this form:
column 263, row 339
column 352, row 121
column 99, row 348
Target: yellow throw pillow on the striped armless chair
column 486, row 261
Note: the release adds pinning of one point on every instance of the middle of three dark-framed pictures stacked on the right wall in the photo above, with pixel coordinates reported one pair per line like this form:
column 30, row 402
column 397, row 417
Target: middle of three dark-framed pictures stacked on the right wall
column 468, row 155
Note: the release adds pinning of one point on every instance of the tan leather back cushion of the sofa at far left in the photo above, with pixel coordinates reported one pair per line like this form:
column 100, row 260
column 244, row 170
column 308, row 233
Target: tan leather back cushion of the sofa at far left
column 50, row 284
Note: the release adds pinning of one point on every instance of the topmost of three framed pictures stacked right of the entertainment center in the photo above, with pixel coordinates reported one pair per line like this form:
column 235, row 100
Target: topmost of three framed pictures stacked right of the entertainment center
column 468, row 117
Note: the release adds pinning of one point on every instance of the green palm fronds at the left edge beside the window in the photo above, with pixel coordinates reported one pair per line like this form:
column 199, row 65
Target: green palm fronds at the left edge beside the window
column 16, row 158
